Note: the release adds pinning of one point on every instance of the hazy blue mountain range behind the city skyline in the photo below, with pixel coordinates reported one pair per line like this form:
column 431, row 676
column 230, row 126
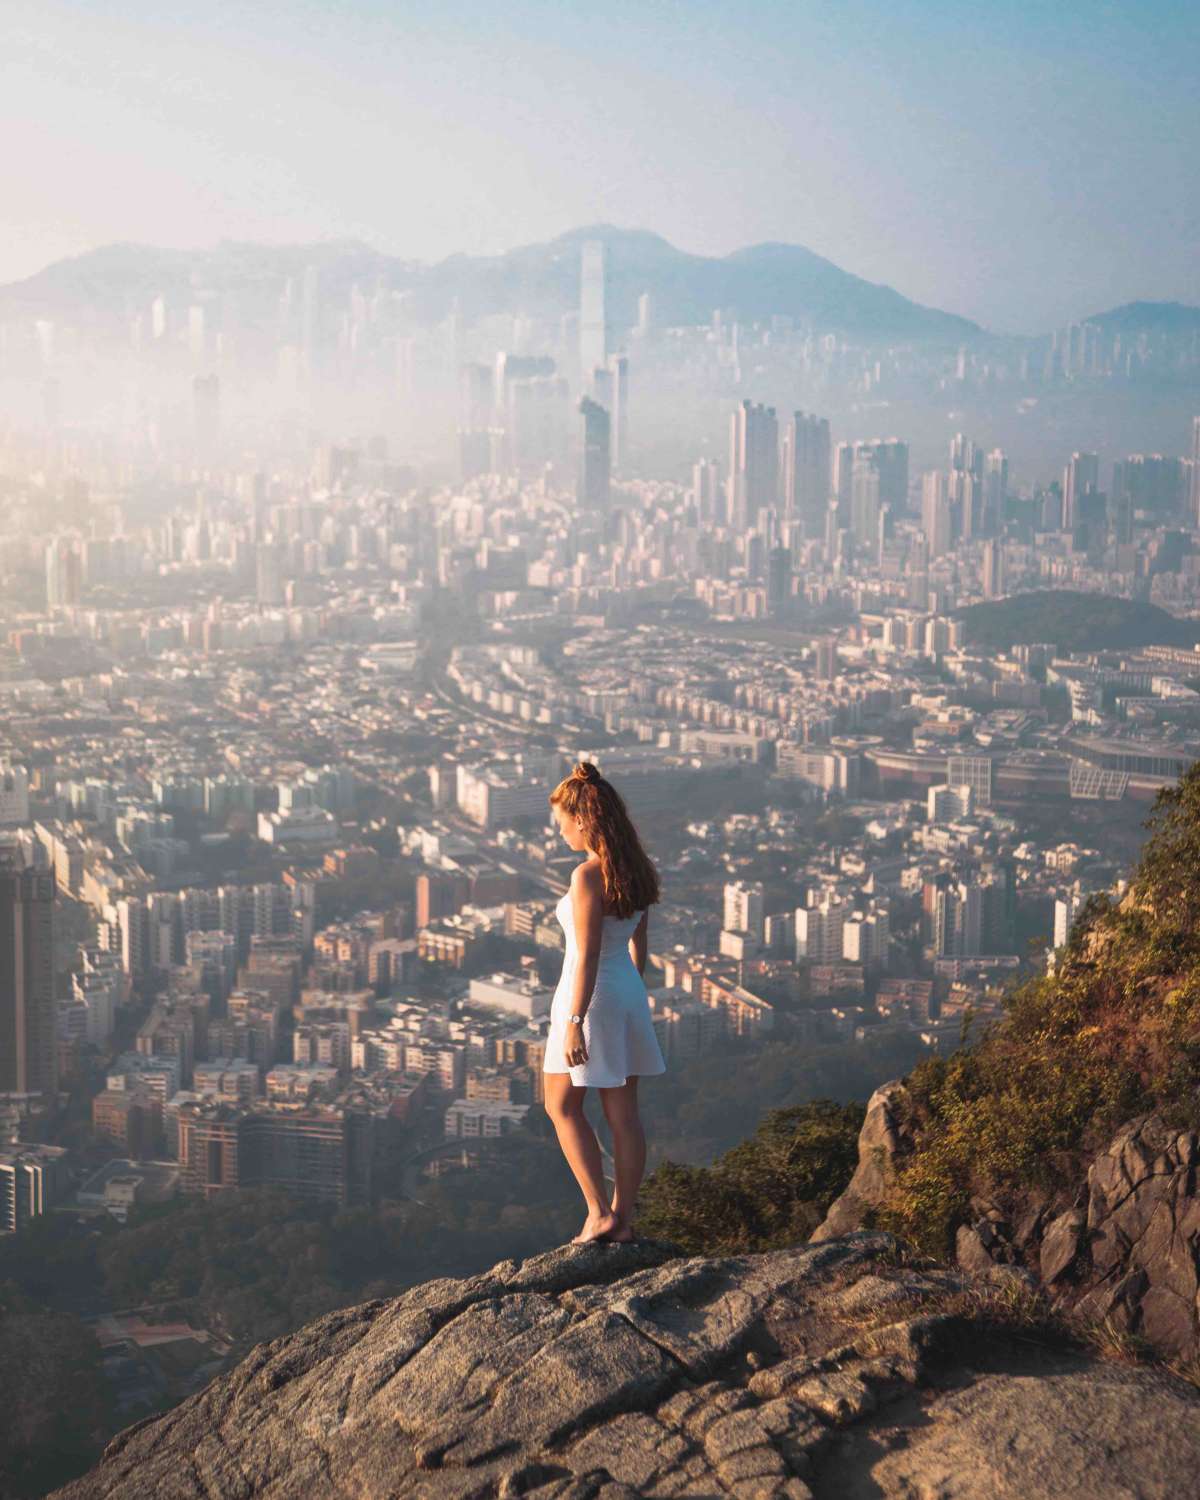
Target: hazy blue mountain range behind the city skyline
column 539, row 281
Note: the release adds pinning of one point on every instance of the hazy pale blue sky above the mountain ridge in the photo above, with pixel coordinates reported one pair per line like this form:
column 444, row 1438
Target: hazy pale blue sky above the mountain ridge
column 1016, row 161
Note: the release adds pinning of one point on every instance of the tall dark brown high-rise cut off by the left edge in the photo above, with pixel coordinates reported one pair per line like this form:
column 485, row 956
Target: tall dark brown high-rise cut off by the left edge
column 29, row 1055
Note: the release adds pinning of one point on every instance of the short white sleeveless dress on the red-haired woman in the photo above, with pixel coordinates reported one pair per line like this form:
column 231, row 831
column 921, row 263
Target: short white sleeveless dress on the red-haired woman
column 619, row 1031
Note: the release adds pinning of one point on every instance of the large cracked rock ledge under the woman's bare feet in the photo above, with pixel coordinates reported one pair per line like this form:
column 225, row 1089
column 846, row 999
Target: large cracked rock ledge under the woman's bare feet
column 629, row 1370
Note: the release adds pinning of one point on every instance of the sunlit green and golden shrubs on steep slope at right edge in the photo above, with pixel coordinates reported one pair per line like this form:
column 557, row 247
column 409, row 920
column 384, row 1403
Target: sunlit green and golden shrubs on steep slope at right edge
column 1112, row 1034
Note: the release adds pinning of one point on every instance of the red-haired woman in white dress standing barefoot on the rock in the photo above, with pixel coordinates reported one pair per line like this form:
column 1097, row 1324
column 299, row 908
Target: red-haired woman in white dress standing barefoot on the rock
column 601, row 1031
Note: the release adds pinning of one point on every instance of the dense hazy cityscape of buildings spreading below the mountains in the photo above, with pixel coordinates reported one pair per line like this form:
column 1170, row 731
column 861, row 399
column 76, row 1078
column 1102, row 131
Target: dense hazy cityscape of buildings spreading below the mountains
column 277, row 908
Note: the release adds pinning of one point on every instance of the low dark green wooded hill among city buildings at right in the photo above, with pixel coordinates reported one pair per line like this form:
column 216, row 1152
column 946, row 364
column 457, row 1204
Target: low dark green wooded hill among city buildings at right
column 1075, row 623
